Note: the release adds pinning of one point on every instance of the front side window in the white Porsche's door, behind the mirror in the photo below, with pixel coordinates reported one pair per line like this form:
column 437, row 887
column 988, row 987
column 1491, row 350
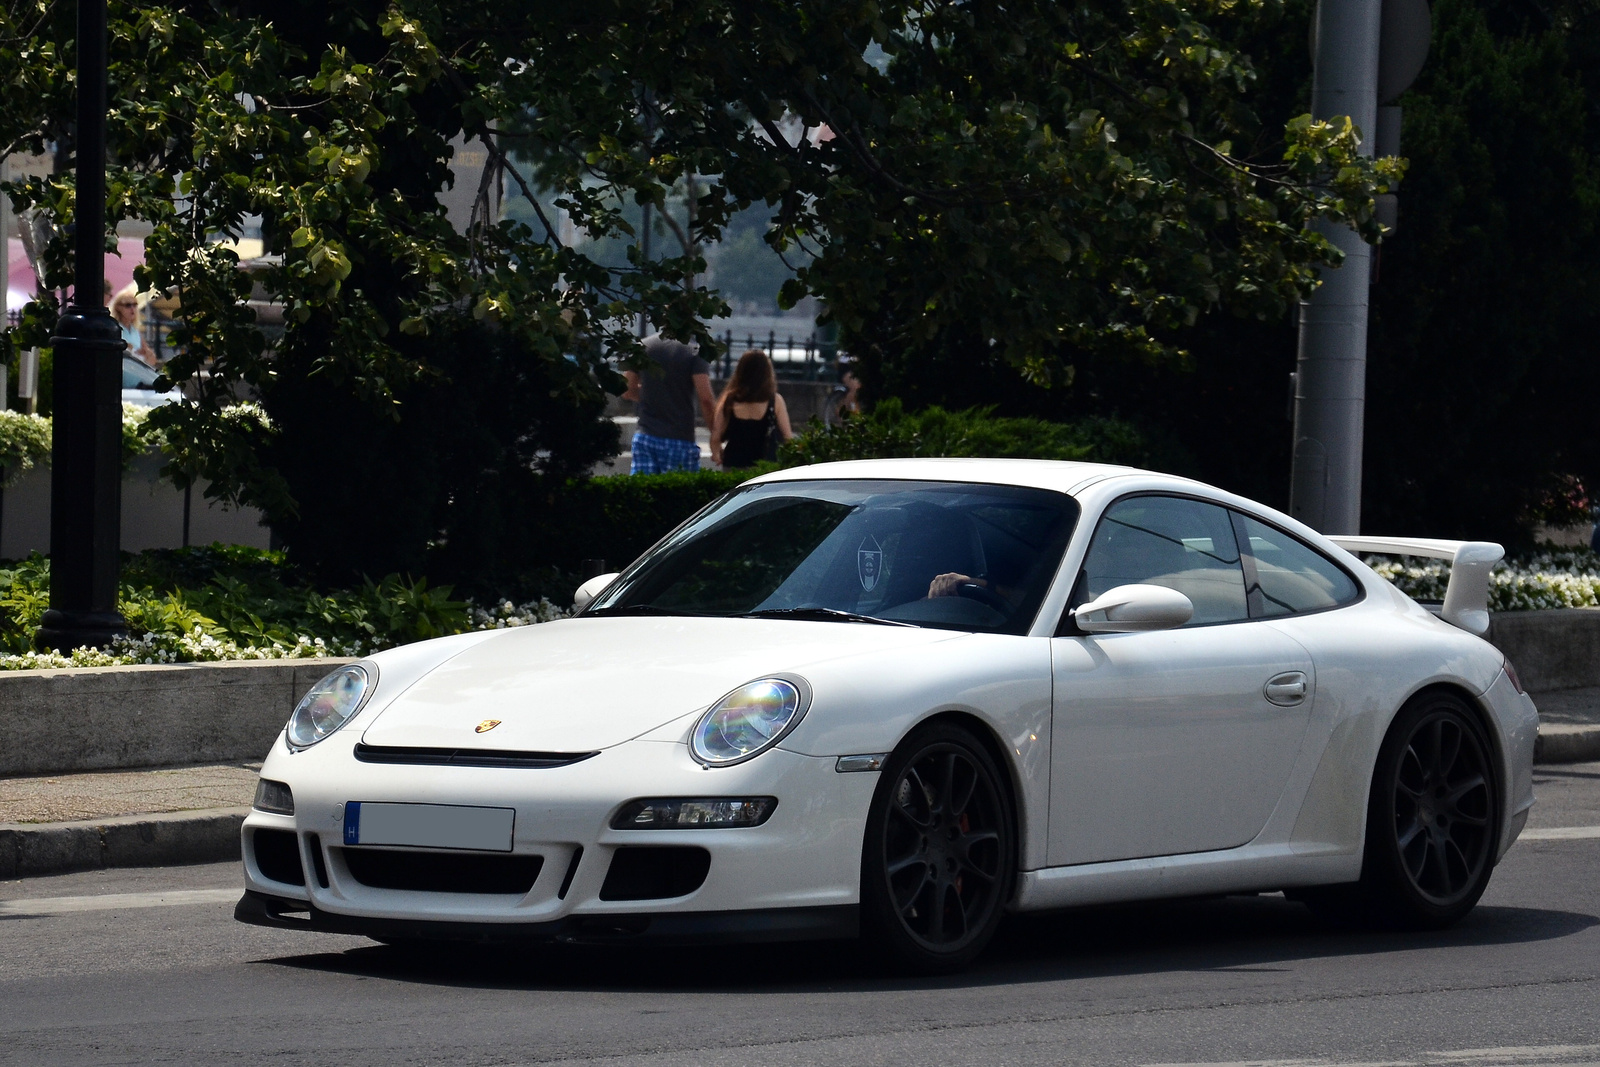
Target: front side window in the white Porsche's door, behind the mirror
column 1169, row 541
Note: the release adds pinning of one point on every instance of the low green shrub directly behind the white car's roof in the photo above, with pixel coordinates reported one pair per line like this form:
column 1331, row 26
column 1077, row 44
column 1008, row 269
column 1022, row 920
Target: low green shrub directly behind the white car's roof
column 889, row 431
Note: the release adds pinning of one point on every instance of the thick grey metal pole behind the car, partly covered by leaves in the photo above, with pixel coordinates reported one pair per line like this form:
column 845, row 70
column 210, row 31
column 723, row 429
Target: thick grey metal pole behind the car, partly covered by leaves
column 1330, row 382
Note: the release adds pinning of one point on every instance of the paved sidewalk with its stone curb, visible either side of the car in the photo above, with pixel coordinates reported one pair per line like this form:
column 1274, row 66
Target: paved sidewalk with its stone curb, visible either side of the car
column 191, row 815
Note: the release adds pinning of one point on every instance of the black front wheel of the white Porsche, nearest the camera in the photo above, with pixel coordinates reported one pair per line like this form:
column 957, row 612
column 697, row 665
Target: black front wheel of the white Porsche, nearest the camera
column 940, row 852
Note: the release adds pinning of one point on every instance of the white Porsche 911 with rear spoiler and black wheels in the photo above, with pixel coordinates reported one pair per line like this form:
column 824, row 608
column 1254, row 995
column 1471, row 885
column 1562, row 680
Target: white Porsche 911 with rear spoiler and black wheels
column 898, row 698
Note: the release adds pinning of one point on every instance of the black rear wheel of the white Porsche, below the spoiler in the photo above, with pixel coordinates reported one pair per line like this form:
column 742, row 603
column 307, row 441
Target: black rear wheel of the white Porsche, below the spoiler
column 1433, row 818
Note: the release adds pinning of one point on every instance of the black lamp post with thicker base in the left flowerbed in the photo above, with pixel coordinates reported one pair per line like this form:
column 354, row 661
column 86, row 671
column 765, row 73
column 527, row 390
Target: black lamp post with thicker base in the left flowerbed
column 86, row 494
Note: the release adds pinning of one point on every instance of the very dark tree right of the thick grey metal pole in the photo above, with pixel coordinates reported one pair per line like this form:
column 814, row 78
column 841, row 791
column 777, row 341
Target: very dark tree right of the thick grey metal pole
column 1484, row 345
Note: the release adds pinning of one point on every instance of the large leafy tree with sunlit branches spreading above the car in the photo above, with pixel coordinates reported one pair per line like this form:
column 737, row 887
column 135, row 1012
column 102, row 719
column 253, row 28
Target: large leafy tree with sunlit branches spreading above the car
column 1044, row 182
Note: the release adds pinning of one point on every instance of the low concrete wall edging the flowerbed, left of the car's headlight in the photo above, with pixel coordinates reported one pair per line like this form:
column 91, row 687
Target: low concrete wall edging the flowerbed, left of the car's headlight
column 90, row 719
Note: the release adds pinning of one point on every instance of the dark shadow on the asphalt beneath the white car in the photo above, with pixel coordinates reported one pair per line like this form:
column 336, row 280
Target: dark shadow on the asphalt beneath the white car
column 1231, row 933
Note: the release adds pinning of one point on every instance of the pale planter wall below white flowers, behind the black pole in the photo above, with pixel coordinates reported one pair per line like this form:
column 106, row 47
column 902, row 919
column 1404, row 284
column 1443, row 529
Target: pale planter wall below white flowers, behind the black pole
column 153, row 514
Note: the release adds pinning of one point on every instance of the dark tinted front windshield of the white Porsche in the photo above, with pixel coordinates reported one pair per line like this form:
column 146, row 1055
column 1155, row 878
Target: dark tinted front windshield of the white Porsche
column 937, row 554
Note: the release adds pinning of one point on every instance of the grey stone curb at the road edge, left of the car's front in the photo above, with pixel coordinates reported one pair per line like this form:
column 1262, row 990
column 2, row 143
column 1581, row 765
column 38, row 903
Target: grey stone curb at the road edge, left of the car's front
column 148, row 841
